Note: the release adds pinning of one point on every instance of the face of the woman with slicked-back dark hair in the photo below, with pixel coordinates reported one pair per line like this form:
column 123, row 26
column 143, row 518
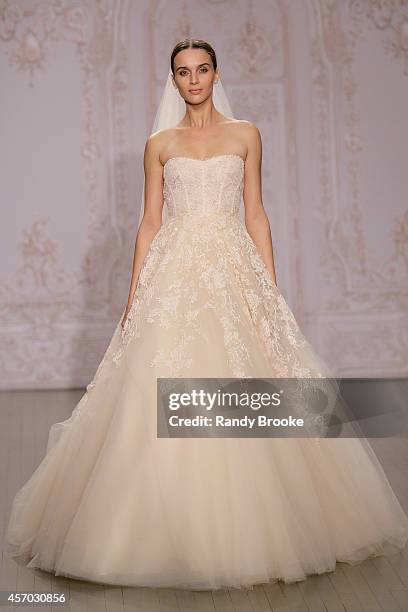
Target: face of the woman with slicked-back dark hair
column 194, row 75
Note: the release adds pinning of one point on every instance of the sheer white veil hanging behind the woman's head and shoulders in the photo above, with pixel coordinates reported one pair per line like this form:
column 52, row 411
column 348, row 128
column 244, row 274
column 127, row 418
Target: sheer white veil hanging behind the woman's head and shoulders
column 171, row 110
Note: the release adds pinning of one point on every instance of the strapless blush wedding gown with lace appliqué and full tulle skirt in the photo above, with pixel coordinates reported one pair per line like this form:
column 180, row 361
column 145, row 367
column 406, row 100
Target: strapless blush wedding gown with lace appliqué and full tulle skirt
column 113, row 503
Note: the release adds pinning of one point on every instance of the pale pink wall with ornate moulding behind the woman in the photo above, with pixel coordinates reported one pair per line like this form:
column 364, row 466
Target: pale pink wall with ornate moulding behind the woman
column 326, row 82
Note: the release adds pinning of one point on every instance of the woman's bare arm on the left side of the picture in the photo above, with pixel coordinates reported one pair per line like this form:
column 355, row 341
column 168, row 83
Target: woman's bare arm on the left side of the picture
column 152, row 216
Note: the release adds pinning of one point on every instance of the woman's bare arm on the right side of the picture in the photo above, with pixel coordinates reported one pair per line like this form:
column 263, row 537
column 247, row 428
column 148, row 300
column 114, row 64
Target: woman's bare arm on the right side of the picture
column 256, row 219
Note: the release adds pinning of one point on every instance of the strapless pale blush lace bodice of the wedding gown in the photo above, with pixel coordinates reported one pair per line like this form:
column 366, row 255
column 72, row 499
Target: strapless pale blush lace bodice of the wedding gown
column 203, row 186
